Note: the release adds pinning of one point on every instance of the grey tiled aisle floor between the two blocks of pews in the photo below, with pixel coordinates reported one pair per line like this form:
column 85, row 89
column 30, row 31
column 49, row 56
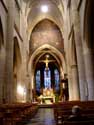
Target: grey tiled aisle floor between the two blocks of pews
column 44, row 116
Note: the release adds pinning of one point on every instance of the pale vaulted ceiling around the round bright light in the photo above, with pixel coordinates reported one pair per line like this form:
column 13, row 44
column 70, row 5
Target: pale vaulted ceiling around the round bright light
column 34, row 13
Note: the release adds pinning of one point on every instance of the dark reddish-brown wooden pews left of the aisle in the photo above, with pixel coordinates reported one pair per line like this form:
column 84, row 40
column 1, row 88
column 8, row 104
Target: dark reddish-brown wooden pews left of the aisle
column 13, row 114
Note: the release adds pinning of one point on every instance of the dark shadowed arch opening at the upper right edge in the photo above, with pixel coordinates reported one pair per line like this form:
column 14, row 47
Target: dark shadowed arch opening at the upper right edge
column 89, row 24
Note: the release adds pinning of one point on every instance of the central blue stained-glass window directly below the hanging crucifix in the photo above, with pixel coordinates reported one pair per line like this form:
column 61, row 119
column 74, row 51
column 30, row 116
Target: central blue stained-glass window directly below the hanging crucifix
column 47, row 78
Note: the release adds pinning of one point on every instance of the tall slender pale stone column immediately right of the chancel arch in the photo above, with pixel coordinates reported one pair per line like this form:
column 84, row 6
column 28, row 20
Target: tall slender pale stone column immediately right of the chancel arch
column 67, row 51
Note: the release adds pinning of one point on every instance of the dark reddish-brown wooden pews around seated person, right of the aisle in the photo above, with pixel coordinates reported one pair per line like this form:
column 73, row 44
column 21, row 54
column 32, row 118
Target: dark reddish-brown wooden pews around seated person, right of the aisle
column 62, row 110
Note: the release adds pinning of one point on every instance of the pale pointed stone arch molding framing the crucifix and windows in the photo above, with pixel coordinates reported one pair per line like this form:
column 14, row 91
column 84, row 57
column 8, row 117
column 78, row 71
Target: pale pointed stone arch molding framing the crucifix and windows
column 54, row 50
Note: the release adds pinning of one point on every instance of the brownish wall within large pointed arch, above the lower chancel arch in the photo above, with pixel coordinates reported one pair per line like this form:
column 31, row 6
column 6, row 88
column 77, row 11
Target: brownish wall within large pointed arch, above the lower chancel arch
column 47, row 27
